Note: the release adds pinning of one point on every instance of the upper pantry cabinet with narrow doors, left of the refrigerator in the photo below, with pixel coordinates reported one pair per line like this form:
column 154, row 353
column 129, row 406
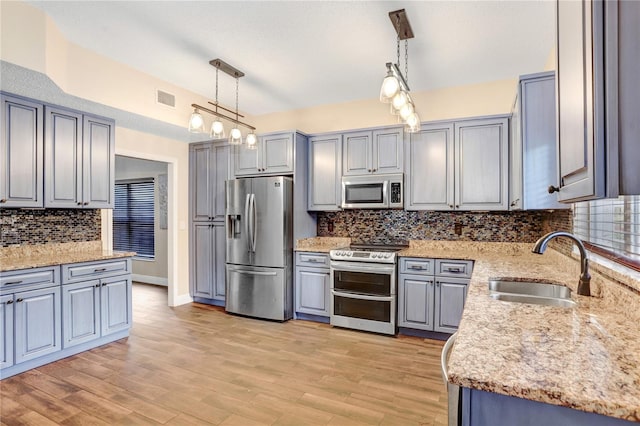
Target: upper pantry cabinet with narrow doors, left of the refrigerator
column 208, row 172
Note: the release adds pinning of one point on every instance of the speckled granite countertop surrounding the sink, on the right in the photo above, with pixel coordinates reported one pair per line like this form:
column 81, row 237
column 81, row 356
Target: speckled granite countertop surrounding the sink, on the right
column 586, row 358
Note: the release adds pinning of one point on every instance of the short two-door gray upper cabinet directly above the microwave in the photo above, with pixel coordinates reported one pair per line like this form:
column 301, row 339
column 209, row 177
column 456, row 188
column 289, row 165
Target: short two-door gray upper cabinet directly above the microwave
column 373, row 152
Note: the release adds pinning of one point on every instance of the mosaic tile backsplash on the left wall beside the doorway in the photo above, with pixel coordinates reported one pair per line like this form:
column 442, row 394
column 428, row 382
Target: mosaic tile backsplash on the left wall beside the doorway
column 28, row 227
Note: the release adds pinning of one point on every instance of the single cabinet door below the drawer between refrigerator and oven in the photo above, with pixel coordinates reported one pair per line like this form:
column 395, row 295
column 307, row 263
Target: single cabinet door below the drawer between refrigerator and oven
column 312, row 291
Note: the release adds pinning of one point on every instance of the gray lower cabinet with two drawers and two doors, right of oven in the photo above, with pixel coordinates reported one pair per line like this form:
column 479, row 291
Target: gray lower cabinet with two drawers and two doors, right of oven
column 432, row 293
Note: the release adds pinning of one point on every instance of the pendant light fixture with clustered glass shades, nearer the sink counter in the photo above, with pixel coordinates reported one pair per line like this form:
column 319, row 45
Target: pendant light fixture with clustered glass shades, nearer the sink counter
column 395, row 87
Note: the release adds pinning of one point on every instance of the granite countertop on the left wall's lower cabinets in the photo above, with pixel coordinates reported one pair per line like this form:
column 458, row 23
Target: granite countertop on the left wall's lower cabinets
column 36, row 256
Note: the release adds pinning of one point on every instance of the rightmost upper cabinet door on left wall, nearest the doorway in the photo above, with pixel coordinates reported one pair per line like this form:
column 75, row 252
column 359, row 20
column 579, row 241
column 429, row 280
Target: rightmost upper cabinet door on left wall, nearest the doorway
column 98, row 163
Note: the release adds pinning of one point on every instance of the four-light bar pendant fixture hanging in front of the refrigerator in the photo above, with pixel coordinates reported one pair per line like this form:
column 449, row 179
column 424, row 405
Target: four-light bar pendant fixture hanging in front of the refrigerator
column 196, row 121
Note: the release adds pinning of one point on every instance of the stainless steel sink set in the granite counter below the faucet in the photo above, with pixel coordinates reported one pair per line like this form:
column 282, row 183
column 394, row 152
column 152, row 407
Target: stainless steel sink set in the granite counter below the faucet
column 532, row 292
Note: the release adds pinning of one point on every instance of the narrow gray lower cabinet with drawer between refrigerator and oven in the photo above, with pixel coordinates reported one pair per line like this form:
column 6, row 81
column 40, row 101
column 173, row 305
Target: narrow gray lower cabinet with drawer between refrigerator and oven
column 312, row 285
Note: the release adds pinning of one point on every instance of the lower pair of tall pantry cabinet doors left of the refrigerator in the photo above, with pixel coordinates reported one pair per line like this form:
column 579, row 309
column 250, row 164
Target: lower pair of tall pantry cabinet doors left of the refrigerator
column 208, row 261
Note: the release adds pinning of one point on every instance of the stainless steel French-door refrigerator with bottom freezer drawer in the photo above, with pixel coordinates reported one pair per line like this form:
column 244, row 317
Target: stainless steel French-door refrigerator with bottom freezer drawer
column 259, row 227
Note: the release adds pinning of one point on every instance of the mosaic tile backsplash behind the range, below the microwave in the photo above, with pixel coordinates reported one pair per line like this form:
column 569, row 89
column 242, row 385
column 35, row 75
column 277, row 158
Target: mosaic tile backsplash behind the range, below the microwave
column 386, row 226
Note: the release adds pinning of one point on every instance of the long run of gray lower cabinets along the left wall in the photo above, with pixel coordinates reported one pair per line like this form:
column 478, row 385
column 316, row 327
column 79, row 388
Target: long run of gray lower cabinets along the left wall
column 50, row 313
